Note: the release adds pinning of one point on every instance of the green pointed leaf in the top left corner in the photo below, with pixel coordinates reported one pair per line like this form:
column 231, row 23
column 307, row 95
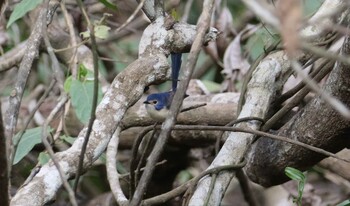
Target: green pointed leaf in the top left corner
column 21, row 9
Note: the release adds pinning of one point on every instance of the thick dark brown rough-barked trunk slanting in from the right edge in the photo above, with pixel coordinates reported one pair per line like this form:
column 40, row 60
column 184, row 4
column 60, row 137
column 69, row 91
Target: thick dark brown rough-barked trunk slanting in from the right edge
column 316, row 124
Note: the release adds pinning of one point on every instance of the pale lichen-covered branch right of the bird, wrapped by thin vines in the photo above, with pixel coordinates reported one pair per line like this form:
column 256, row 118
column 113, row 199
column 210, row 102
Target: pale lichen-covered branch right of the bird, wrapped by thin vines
column 262, row 88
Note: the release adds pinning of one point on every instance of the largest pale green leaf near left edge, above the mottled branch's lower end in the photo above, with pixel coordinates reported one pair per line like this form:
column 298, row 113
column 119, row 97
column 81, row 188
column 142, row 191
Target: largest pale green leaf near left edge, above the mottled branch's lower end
column 30, row 138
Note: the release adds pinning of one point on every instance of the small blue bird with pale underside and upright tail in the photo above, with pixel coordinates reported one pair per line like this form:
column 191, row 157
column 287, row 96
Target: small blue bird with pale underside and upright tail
column 158, row 104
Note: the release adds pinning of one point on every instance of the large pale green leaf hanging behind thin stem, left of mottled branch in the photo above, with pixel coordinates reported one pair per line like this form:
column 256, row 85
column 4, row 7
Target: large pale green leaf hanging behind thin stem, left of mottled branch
column 81, row 93
